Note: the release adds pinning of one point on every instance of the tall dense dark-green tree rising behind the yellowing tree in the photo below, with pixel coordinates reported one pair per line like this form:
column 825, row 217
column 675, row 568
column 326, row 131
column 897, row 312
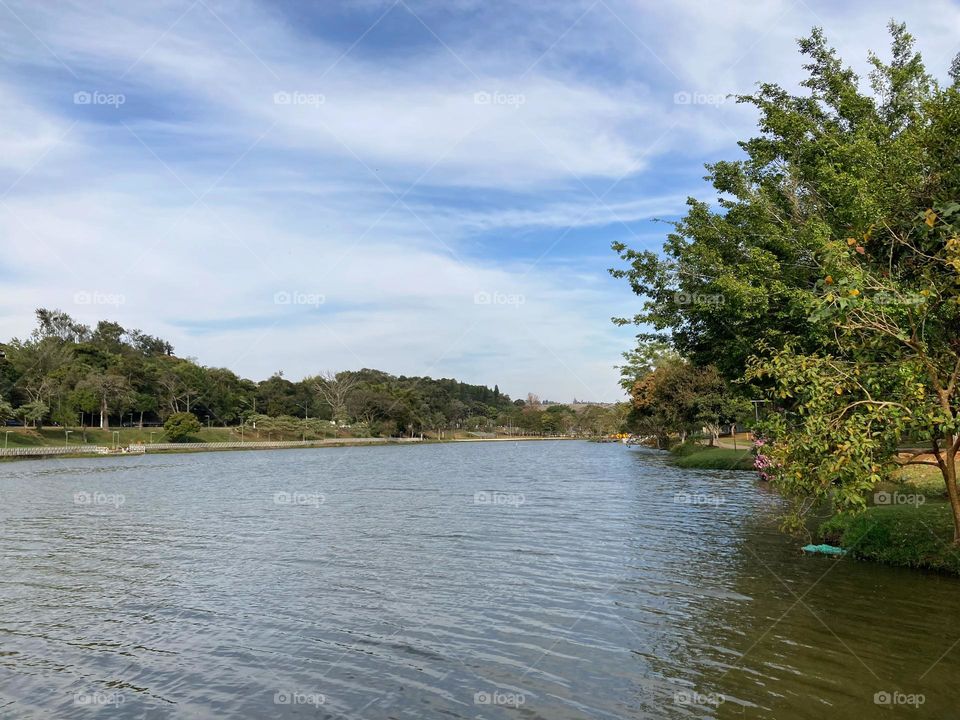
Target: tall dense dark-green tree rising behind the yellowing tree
column 825, row 163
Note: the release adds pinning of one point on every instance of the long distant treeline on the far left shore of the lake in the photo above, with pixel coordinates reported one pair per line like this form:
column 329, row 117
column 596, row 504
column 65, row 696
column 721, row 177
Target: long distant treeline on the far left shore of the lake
column 71, row 374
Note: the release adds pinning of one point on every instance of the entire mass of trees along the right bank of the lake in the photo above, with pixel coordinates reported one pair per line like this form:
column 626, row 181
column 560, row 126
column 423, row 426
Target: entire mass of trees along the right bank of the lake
column 823, row 283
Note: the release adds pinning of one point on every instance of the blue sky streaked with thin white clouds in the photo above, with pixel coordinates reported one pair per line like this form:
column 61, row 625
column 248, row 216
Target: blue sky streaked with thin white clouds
column 426, row 187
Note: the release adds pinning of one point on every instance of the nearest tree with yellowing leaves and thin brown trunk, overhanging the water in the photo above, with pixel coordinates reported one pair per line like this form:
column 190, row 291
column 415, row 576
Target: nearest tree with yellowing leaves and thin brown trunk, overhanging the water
column 894, row 377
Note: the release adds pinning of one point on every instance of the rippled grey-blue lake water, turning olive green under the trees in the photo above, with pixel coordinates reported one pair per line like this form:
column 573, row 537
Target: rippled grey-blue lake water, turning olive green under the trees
column 529, row 580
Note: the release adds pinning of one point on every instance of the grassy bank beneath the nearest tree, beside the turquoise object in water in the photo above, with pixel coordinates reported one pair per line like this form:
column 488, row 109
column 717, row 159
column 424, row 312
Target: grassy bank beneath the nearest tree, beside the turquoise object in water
column 906, row 535
